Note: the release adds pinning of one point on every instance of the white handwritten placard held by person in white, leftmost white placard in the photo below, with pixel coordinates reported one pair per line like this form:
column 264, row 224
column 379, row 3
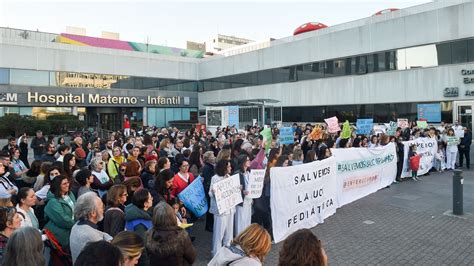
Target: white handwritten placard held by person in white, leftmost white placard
column 228, row 193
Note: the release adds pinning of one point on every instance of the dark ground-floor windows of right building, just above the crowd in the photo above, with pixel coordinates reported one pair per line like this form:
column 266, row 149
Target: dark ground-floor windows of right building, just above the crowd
column 381, row 113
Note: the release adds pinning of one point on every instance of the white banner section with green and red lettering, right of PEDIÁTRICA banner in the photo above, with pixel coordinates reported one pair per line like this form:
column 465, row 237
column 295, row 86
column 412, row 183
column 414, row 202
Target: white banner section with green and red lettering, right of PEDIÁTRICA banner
column 362, row 171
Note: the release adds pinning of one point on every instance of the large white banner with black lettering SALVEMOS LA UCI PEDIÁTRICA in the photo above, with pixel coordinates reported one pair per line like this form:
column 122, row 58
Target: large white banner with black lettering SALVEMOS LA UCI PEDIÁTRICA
column 302, row 196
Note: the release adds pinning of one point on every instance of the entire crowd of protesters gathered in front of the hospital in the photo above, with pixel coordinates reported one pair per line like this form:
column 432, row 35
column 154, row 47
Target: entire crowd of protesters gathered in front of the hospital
column 115, row 201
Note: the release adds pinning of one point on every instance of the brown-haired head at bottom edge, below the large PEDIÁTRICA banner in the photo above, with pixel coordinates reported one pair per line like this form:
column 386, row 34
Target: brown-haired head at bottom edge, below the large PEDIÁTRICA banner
column 302, row 248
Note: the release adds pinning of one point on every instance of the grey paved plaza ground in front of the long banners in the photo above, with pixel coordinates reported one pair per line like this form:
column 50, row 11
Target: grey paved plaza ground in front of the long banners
column 401, row 225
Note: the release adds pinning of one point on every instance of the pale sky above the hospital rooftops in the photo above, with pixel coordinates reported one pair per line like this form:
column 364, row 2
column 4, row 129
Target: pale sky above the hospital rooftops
column 173, row 23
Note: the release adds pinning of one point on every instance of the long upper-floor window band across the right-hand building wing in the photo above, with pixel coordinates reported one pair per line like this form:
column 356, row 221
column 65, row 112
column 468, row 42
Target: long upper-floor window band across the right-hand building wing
column 455, row 52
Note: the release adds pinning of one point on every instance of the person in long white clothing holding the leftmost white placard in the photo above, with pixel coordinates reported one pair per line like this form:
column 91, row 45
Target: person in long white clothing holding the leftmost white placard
column 224, row 222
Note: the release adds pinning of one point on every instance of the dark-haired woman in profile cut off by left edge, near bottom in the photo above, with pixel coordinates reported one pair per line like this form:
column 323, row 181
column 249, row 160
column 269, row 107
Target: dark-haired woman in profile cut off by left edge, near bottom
column 10, row 221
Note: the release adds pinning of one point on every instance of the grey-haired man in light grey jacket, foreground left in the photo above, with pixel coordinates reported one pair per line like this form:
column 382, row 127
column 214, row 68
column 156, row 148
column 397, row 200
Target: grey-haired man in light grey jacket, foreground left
column 88, row 211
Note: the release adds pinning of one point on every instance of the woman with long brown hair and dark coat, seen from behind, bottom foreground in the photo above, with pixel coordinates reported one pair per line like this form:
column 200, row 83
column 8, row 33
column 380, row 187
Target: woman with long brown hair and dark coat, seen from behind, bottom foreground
column 166, row 243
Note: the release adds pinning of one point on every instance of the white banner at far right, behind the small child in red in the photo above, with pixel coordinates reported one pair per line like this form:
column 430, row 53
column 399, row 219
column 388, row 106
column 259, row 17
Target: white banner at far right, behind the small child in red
column 427, row 147
